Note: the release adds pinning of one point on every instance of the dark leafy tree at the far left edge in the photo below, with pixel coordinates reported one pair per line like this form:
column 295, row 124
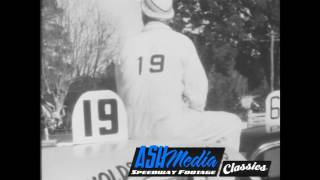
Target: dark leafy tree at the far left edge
column 55, row 49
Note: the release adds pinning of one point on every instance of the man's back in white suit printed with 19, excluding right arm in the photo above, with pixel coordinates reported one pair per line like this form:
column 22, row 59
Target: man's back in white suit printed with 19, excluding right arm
column 151, row 77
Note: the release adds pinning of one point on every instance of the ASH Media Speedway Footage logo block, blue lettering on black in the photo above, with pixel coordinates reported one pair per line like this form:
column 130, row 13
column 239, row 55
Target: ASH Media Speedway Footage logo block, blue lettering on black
column 167, row 161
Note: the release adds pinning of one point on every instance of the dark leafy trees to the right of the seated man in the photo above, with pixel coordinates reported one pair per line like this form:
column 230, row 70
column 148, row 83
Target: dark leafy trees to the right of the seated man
column 231, row 38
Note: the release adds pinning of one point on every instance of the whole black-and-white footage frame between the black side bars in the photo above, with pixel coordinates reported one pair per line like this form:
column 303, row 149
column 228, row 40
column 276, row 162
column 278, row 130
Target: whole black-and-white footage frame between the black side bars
column 123, row 82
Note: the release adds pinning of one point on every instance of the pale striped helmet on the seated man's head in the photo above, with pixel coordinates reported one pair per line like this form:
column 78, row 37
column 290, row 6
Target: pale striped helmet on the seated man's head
column 158, row 9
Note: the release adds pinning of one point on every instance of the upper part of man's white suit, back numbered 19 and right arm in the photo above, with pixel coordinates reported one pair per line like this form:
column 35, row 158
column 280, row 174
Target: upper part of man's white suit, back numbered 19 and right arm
column 160, row 76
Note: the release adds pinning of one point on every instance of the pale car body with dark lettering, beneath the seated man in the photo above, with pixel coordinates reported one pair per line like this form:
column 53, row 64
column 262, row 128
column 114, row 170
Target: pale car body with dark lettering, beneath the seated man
column 105, row 161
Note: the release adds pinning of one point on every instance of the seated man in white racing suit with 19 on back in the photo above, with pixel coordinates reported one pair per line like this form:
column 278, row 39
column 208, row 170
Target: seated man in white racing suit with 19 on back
column 164, row 86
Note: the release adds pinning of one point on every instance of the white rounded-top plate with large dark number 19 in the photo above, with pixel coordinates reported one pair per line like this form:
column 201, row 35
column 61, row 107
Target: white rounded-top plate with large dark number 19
column 99, row 116
